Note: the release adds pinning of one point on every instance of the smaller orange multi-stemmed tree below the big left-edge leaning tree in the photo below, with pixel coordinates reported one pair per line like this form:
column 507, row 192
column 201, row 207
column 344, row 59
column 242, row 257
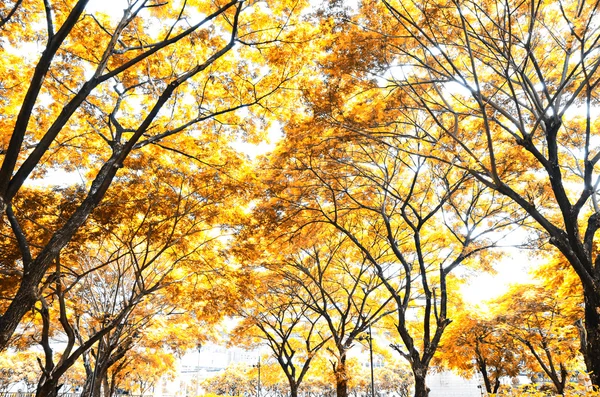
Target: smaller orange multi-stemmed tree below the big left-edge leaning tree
column 137, row 261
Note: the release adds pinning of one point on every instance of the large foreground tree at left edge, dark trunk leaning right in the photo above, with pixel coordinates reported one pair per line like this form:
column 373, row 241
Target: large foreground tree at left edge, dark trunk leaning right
column 108, row 92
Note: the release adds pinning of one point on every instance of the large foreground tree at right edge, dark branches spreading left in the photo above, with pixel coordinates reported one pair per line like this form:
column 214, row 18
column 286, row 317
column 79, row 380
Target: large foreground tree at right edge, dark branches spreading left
column 504, row 90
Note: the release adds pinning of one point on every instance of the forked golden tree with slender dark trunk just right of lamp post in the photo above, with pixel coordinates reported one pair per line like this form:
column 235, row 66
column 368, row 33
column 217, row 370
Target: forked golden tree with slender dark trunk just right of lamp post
column 410, row 219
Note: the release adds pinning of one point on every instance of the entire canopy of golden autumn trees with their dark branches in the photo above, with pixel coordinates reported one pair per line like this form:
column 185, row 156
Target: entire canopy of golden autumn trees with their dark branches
column 416, row 136
